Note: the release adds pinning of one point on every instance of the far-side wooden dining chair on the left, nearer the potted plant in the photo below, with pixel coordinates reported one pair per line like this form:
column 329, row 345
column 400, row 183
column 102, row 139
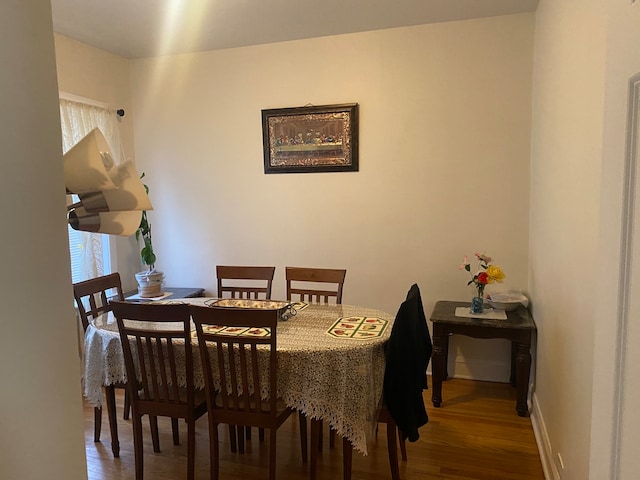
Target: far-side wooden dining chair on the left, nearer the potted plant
column 239, row 281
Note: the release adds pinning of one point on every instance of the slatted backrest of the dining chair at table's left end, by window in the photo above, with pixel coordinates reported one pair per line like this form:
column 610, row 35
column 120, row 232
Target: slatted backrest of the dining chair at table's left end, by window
column 88, row 290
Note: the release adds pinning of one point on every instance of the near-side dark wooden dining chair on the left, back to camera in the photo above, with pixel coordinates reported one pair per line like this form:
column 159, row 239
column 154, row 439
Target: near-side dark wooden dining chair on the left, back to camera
column 154, row 337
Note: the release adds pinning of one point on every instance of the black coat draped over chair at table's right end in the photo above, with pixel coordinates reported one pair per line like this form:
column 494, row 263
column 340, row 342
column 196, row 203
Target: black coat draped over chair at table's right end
column 408, row 353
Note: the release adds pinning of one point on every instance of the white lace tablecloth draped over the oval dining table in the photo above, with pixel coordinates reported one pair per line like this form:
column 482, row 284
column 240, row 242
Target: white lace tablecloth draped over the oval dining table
column 336, row 379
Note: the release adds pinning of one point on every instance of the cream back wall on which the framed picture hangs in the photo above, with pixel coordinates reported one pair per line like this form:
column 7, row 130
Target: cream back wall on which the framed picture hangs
column 444, row 162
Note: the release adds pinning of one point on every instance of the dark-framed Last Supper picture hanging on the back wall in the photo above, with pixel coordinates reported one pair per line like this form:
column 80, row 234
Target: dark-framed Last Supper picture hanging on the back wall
column 311, row 139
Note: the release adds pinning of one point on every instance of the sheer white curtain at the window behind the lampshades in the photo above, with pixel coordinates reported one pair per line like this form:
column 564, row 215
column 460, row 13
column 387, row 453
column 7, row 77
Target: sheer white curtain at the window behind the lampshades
column 77, row 119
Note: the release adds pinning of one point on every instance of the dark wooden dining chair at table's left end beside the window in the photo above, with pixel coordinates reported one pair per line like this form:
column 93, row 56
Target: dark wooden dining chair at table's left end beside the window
column 92, row 300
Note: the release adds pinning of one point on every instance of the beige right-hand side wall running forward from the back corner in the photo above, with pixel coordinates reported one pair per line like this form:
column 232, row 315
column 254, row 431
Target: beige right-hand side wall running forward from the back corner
column 565, row 190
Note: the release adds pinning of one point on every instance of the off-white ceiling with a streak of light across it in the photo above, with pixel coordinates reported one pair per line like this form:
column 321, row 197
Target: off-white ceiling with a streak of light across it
column 147, row 28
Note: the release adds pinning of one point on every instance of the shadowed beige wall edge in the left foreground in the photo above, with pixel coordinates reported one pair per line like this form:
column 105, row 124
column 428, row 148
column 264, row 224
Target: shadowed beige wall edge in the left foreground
column 41, row 422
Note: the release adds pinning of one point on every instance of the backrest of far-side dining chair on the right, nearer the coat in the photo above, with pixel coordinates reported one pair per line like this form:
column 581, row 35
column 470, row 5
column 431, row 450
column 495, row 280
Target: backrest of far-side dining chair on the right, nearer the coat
column 306, row 277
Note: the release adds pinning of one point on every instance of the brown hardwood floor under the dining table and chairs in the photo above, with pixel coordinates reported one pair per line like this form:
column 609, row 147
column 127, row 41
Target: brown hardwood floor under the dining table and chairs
column 476, row 434
